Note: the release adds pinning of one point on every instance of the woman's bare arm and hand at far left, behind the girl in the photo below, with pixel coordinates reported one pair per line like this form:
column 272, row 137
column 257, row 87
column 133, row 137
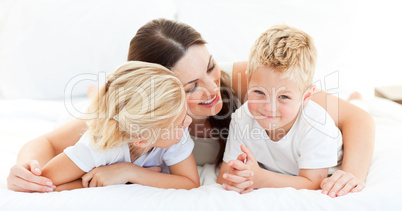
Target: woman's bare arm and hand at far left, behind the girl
column 26, row 174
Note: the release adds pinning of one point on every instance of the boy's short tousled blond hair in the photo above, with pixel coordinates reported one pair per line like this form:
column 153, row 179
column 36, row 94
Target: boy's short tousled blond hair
column 287, row 50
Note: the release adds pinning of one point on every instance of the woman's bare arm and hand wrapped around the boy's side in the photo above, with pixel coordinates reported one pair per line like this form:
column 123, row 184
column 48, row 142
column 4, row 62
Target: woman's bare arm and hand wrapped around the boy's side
column 358, row 132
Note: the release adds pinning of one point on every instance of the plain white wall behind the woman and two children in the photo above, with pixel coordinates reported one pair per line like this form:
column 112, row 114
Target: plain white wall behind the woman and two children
column 43, row 43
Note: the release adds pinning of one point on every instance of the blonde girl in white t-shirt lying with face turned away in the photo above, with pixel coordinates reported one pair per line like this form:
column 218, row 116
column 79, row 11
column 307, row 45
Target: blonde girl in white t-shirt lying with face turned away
column 139, row 117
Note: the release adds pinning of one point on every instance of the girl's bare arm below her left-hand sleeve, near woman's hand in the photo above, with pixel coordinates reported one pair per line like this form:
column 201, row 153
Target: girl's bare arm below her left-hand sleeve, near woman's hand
column 61, row 169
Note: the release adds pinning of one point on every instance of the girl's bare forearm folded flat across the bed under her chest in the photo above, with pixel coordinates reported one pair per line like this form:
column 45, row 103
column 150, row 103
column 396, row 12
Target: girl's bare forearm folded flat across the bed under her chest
column 183, row 175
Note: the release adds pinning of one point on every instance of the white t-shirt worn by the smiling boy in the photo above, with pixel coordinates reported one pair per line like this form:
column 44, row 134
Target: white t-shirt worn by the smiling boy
column 313, row 142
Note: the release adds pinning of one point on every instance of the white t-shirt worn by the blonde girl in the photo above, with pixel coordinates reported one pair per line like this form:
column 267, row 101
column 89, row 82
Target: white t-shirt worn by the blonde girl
column 86, row 157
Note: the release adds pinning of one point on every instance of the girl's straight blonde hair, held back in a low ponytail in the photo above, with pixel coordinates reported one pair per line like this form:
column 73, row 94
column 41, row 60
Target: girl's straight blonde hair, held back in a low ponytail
column 139, row 100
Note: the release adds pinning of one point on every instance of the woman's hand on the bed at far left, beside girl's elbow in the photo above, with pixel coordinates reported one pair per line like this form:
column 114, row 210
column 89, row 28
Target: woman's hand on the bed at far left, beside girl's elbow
column 27, row 178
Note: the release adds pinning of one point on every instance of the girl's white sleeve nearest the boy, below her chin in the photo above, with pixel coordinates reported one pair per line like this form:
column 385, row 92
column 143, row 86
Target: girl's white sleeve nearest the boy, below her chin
column 180, row 151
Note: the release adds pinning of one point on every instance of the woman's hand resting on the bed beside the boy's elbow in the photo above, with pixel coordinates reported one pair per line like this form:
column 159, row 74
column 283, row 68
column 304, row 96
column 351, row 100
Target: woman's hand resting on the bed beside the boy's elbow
column 341, row 183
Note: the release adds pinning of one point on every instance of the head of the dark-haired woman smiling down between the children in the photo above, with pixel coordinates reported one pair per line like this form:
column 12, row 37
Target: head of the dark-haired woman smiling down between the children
column 180, row 48
